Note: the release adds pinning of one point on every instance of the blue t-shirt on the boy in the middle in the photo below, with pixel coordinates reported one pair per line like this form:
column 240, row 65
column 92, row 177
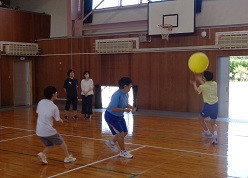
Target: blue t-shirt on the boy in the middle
column 118, row 100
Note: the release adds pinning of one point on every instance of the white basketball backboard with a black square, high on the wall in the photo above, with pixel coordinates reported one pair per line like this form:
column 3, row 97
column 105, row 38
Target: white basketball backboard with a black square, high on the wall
column 179, row 13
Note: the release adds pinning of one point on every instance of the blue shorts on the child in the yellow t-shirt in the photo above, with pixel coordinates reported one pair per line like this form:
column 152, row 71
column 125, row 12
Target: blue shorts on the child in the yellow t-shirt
column 210, row 111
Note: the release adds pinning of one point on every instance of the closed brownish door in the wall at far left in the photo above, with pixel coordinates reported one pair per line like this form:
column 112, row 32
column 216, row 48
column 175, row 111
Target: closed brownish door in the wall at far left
column 21, row 83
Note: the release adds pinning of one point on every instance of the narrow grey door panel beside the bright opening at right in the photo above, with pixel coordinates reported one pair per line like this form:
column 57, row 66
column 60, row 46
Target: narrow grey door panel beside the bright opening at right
column 223, row 68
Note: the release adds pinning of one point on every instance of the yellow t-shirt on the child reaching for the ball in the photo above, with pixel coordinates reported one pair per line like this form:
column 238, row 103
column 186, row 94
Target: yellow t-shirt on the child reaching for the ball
column 209, row 92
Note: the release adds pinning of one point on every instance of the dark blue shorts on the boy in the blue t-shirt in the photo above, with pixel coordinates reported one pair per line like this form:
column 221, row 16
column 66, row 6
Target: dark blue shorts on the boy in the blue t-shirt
column 115, row 123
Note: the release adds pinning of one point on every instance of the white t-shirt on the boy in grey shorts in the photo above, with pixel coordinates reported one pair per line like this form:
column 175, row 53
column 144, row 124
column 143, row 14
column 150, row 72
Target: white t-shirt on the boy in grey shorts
column 46, row 110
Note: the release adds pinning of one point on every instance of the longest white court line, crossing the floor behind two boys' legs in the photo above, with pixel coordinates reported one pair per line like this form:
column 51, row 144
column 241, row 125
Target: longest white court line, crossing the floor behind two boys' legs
column 149, row 146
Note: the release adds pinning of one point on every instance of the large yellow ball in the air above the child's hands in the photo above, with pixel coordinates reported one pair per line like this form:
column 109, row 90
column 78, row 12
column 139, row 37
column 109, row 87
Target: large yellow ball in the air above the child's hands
column 198, row 62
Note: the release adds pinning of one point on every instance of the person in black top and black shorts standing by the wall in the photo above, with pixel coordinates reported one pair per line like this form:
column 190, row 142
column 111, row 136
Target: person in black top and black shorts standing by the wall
column 70, row 87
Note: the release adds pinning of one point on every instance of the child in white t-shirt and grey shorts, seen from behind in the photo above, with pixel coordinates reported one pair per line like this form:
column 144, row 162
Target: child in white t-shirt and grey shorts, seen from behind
column 47, row 111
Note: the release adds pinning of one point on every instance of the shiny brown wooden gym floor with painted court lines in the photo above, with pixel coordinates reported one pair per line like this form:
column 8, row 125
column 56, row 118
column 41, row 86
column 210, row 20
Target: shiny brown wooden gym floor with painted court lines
column 162, row 147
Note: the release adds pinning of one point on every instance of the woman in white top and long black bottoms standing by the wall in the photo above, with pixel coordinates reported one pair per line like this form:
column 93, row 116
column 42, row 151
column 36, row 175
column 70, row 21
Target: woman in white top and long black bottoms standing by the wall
column 87, row 94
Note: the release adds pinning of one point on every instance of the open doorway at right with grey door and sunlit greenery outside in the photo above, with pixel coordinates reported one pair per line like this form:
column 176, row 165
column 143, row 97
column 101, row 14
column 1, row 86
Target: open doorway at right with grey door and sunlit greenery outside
column 232, row 78
